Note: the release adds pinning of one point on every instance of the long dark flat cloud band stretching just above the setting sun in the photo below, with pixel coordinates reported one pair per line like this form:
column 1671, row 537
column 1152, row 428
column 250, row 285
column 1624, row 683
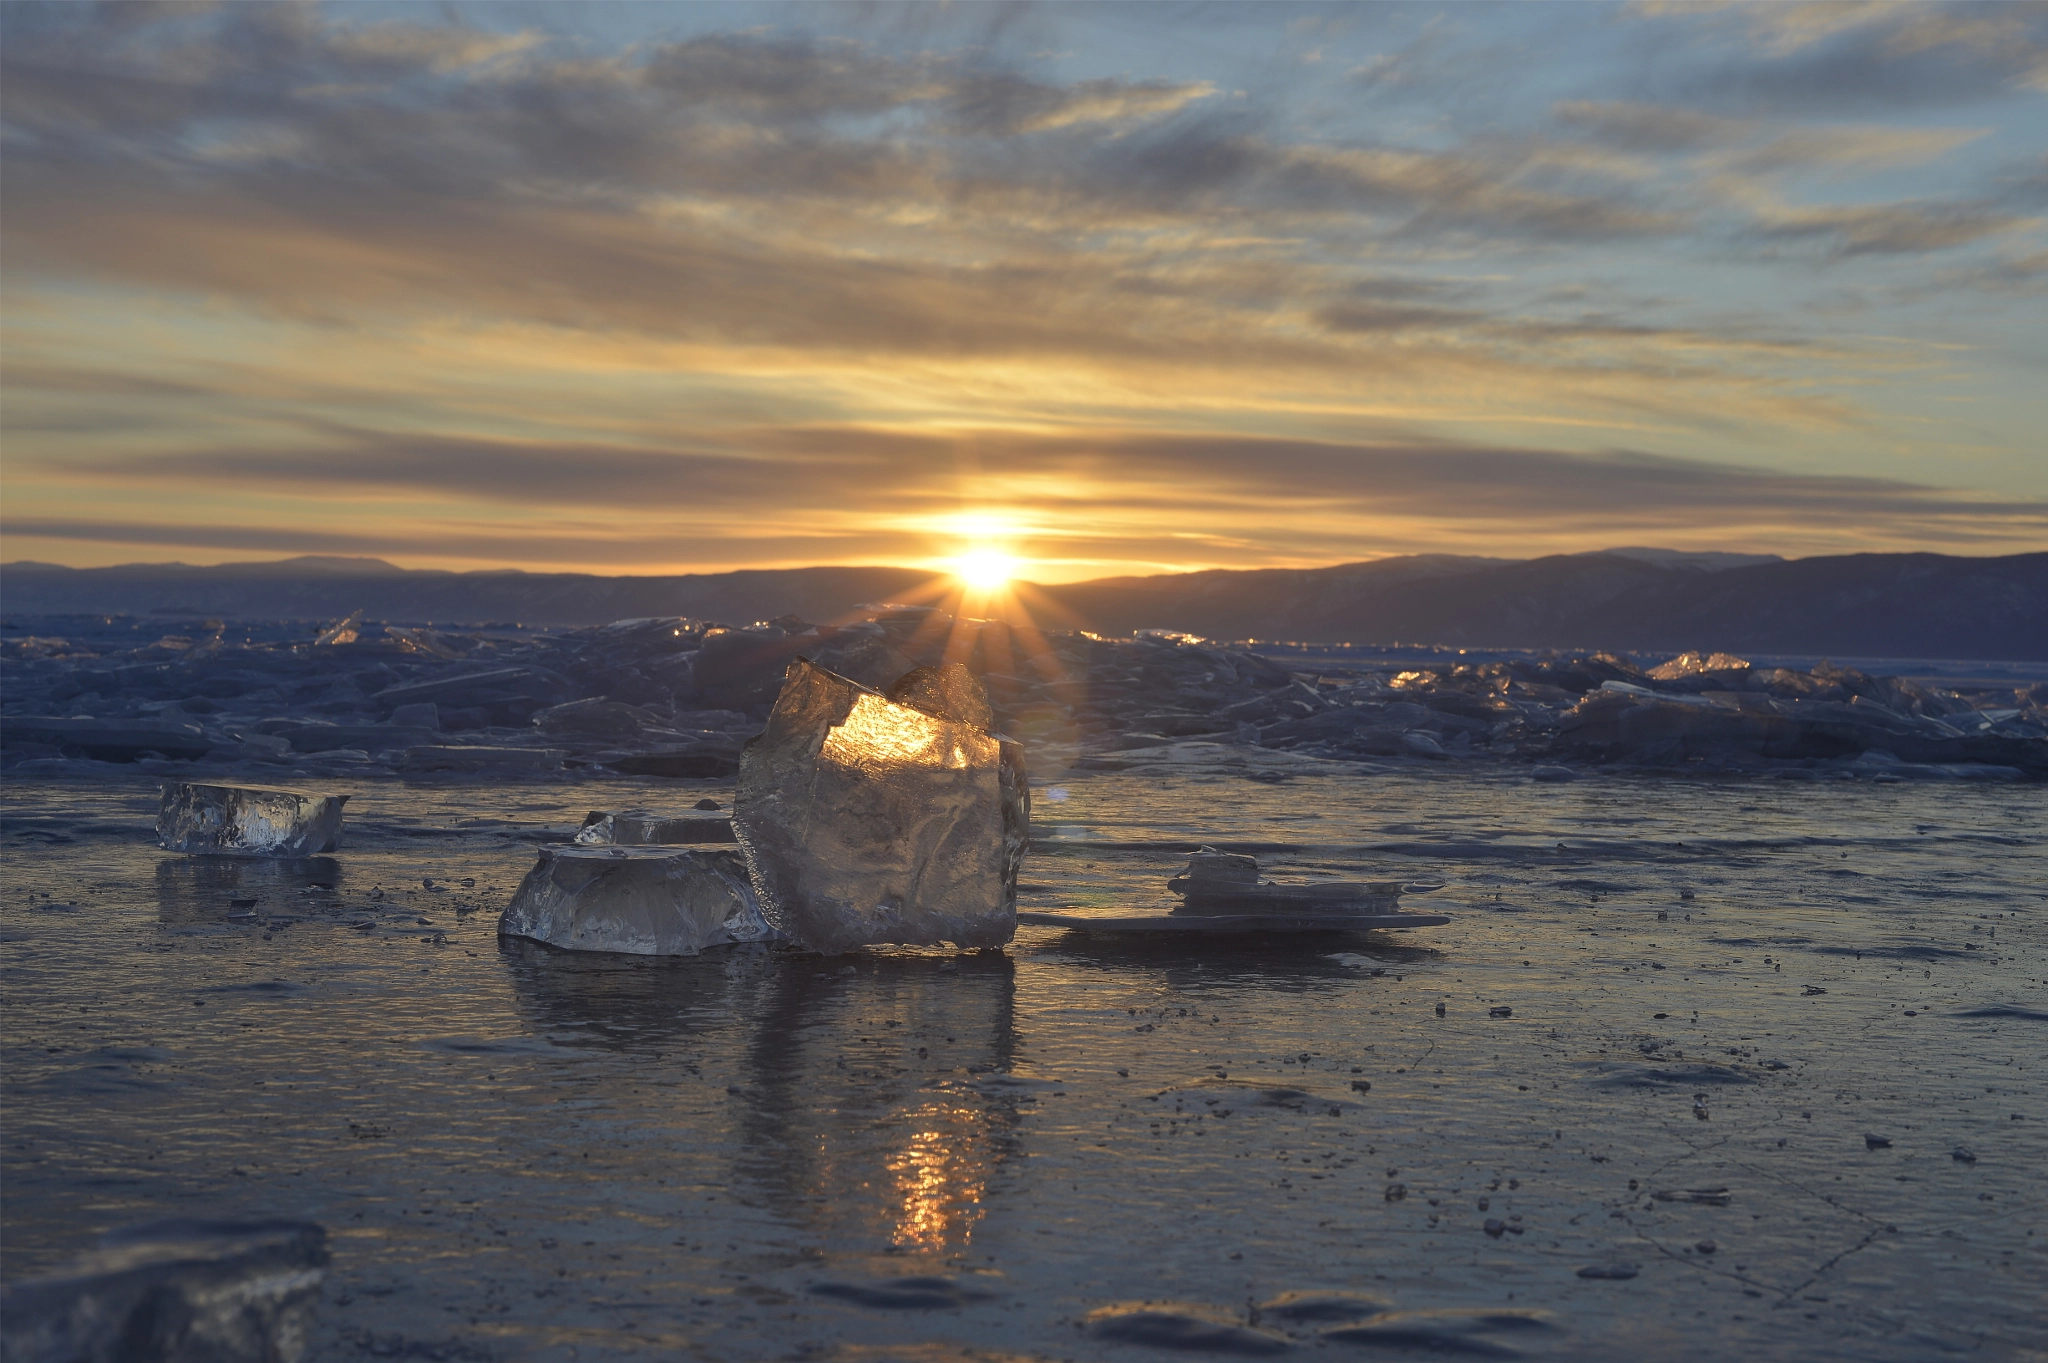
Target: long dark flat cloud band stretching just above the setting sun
column 777, row 472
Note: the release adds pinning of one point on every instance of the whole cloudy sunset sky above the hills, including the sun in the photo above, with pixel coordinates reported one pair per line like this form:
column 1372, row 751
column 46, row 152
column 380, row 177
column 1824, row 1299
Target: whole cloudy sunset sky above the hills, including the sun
column 1084, row 288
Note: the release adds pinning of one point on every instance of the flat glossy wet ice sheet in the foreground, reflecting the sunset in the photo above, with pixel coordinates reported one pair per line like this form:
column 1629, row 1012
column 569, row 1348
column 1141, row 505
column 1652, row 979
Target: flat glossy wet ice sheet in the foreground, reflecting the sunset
column 1080, row 1147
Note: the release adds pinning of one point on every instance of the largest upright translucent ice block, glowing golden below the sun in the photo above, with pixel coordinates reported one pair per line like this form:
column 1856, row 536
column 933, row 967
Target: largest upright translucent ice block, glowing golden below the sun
column 869, row 820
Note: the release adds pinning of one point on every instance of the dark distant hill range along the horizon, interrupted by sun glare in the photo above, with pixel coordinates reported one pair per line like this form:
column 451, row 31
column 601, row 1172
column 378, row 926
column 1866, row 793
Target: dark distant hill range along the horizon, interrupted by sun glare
column 1631, row 599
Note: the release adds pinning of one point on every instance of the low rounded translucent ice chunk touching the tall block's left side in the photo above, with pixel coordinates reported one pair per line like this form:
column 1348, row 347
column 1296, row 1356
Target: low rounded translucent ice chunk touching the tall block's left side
column 640, row 902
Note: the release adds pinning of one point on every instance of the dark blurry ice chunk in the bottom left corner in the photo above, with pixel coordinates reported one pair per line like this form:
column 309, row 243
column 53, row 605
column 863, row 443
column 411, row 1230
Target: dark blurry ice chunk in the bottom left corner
column 175, row 1292
